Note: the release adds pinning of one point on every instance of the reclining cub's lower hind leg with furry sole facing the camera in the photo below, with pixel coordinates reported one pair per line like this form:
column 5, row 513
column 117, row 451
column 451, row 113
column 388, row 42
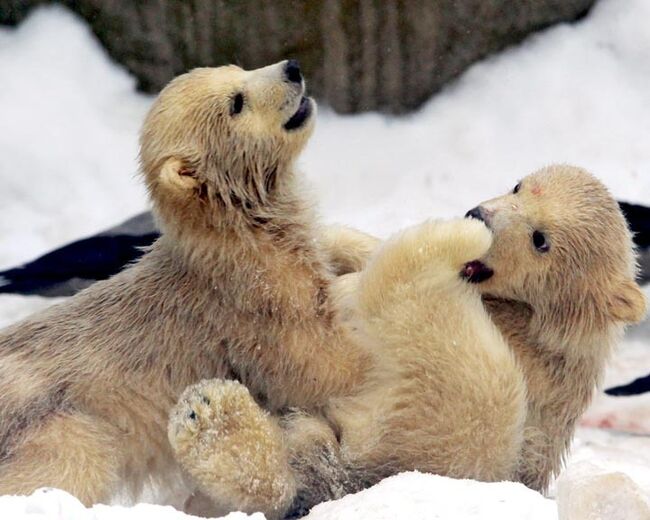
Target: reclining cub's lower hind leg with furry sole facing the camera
column 245, row 460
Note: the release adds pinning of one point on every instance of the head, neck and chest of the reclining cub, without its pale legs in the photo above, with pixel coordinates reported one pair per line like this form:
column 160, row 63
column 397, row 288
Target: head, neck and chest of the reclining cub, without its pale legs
column 562, row 311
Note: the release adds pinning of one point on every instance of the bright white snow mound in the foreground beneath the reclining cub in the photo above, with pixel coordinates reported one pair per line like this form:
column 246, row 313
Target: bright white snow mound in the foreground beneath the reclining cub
column 415, row 496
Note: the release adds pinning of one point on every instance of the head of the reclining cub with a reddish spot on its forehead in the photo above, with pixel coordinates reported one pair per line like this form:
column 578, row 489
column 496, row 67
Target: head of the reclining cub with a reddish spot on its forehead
column 562, row 246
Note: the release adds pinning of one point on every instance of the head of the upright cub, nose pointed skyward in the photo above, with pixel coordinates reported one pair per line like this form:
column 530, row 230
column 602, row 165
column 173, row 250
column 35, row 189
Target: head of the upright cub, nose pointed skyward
column 219, row 139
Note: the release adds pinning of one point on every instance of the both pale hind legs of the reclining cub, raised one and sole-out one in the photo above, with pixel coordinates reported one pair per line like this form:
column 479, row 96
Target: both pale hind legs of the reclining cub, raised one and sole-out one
column 445, row 394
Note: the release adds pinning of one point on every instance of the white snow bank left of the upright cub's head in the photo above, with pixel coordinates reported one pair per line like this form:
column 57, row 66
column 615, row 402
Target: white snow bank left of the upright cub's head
column 68, row 145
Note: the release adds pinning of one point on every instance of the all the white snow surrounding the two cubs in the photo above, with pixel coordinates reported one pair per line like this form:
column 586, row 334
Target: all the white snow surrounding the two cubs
column 574, row 93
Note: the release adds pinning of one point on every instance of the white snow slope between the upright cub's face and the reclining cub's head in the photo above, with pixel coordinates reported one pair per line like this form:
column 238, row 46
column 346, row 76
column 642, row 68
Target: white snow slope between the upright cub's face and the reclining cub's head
column 574, row 93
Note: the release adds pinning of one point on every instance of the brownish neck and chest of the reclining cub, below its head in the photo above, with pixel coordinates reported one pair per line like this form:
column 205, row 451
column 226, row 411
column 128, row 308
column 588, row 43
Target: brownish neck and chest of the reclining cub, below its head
column 560, row 383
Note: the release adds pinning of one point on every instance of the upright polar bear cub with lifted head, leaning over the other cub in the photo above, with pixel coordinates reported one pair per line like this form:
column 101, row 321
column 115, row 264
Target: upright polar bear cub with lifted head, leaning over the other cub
column 237, row 287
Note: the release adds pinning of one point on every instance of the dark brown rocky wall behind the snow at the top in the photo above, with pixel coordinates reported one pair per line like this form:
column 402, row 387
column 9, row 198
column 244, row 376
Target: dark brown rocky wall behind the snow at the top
column 387, row 55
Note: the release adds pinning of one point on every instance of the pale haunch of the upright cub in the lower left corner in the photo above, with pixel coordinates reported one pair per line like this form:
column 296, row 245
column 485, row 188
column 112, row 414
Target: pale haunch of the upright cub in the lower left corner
column 70, row 451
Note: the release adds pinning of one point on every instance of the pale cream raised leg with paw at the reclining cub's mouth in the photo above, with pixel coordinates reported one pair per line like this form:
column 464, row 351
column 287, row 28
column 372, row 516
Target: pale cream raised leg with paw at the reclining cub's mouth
column 457, row 400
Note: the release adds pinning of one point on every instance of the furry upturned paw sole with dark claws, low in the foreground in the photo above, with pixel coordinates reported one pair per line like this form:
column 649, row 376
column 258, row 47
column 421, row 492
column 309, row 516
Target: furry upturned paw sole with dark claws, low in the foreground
column 231, row 448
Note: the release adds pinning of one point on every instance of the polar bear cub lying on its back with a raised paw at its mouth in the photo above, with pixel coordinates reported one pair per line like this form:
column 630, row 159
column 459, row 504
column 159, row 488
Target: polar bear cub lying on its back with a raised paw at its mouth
column 445, row 395
